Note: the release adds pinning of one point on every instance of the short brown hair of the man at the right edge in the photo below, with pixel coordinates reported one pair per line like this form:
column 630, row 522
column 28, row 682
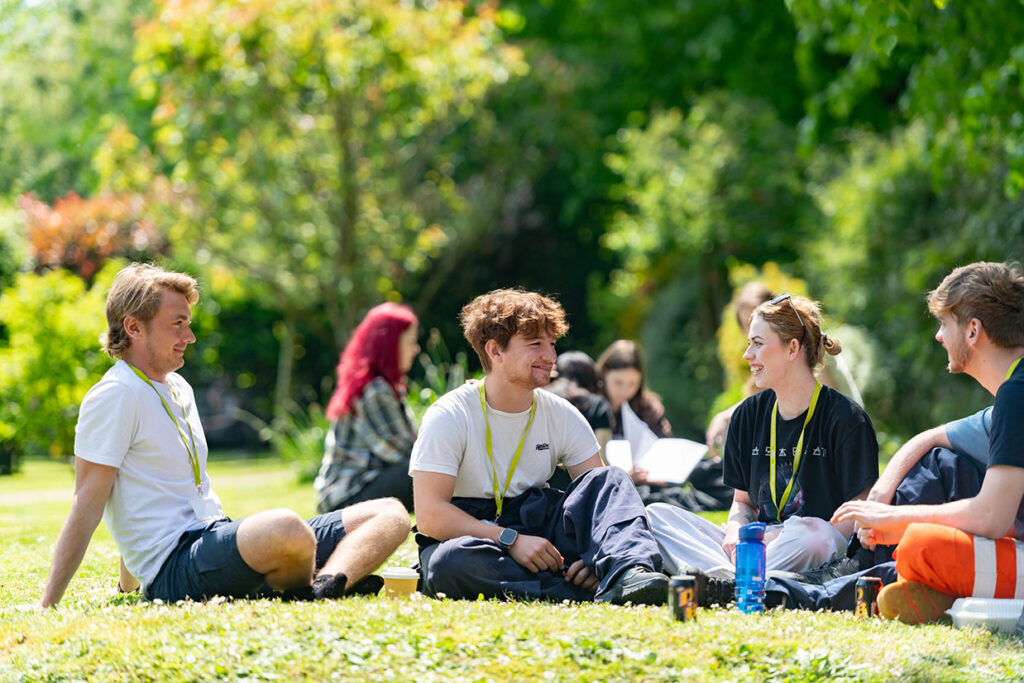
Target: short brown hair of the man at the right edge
column 994, row 293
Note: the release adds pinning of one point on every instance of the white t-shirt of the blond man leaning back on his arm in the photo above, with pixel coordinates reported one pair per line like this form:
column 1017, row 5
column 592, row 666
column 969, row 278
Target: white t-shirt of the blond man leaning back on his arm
column 123, row 424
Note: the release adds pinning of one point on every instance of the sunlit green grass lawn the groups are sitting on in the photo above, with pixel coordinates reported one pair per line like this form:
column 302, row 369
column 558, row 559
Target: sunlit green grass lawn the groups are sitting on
column 98, row 635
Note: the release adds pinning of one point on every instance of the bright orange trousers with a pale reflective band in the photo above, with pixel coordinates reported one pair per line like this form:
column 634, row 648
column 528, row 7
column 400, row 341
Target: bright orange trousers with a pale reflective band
column 960, row 564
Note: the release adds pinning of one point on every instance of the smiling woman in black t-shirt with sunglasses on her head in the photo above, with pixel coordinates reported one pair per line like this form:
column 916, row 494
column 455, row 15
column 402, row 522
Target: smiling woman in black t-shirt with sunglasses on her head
column 795, row 453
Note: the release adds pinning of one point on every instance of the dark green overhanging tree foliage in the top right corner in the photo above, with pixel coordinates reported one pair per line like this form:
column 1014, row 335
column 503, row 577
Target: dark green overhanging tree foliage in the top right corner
column 958, row 67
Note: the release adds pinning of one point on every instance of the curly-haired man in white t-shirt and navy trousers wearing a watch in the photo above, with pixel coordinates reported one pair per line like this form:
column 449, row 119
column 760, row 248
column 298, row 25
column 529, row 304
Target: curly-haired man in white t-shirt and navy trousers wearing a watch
column 485, row 452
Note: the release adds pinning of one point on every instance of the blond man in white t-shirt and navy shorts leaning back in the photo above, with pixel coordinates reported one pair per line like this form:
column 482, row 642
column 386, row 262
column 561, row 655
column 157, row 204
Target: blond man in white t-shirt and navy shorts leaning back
column 141, row 463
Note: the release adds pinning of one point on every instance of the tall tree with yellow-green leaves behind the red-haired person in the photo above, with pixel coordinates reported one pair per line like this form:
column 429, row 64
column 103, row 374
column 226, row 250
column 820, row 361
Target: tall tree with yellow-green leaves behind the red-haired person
column 303, row 144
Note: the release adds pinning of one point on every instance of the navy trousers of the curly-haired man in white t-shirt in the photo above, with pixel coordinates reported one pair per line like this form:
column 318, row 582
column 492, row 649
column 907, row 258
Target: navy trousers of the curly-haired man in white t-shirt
column 600, row 520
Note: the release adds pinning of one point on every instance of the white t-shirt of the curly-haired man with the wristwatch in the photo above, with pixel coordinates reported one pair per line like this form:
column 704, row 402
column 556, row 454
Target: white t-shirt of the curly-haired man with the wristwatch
column 452, row 441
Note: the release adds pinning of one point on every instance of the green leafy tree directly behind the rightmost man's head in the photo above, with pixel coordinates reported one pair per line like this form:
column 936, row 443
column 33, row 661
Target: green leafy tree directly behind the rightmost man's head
column 889, row 236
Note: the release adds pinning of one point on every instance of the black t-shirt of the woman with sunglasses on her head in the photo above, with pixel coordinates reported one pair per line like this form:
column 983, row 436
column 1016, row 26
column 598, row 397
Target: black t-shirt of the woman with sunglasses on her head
column 841, row 455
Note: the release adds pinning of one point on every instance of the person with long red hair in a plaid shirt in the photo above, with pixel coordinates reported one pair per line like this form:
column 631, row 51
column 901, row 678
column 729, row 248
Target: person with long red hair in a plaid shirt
column 367, row 450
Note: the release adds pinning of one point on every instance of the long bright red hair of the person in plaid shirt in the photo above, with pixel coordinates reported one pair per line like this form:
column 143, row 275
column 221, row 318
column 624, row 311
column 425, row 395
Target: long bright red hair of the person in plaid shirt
column 372, row 352
